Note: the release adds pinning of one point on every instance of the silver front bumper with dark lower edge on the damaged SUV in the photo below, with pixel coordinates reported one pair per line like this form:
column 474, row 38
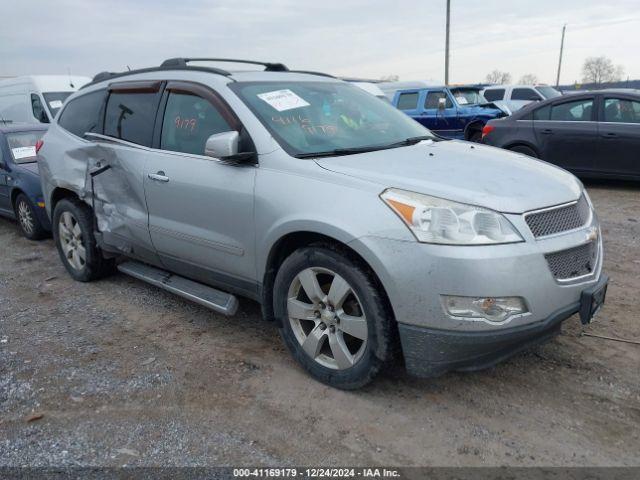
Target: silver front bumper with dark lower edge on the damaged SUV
column 416, row 276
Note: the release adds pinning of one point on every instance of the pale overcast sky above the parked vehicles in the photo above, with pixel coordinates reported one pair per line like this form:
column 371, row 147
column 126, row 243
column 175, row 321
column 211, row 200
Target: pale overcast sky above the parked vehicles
column 344, row 37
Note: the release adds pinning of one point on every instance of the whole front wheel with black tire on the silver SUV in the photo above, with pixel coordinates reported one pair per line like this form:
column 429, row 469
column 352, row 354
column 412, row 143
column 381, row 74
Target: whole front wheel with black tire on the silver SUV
column 333, row 317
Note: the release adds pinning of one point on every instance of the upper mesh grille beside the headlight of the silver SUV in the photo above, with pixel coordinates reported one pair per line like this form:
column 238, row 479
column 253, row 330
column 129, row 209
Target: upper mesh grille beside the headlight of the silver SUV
column 557, row 220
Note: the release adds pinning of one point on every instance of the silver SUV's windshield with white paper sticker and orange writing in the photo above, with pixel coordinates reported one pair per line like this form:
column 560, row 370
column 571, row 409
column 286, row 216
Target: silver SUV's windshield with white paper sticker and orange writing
column 327, row 118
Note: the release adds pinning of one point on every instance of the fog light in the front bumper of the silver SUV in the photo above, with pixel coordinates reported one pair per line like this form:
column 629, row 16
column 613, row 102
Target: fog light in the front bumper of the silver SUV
column 492, row 309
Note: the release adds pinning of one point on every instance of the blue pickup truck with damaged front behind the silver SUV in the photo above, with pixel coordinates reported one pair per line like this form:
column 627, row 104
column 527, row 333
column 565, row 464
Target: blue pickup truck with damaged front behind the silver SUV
column 452, row 112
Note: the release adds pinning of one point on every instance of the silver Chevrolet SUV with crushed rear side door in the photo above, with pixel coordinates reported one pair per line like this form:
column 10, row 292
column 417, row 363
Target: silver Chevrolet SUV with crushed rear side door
column 360, row 232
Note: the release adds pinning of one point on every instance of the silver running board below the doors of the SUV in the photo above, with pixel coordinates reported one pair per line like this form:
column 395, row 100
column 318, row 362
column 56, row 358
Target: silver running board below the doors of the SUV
column 209, row 297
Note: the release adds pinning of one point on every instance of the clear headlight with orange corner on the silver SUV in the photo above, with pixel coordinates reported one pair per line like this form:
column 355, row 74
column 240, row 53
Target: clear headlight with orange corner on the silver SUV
column 435, row 220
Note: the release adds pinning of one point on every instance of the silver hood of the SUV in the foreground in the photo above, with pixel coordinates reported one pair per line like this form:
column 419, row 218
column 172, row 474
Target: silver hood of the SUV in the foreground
column 469, row 173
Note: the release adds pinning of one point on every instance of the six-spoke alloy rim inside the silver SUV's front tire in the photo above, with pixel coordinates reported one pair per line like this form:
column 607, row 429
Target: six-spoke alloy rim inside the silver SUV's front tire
column 327, row 318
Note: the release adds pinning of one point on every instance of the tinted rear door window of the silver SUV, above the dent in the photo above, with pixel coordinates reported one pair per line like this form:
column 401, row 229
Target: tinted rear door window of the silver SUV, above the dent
column 130, row 116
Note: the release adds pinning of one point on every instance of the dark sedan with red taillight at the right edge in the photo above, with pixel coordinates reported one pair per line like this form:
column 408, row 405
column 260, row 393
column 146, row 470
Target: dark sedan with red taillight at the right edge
column 590, row 134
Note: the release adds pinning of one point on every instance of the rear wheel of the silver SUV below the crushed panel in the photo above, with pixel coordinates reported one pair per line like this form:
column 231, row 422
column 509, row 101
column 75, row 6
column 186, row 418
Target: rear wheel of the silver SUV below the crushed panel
column 76, row 244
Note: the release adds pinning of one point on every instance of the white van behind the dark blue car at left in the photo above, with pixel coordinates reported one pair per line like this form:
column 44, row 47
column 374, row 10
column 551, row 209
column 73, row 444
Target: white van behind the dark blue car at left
column 36, row 98
